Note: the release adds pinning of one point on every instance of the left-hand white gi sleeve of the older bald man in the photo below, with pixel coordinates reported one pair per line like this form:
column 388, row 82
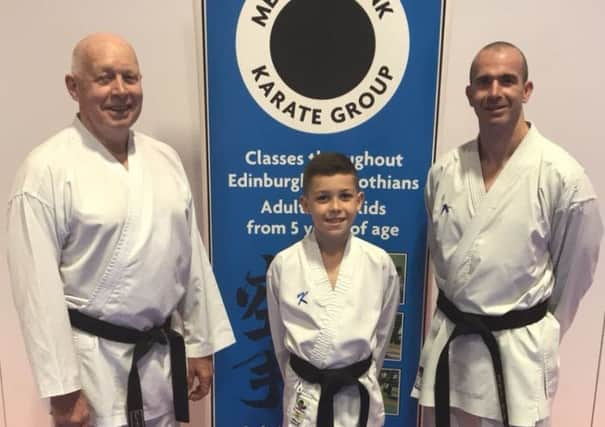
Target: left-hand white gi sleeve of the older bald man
column 34, row 255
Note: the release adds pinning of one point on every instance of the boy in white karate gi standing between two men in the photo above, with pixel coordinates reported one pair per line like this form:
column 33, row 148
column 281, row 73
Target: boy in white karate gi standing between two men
column 332, row 301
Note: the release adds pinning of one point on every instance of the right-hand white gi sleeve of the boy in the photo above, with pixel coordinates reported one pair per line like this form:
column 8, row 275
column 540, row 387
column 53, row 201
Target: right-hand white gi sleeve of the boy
column 386, row 321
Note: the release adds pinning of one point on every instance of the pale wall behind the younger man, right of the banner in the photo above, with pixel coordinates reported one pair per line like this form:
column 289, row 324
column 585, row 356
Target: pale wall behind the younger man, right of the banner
column 563, row 44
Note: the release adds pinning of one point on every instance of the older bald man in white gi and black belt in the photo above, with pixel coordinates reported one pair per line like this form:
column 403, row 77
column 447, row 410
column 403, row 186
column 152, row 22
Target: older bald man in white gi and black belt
column 103, row 250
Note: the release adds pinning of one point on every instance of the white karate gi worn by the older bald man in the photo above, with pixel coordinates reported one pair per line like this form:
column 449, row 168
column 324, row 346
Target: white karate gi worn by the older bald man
column 118, row 244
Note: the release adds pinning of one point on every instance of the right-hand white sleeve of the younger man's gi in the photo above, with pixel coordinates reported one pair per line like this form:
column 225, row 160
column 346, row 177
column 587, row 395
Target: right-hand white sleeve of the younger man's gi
column 576, row 235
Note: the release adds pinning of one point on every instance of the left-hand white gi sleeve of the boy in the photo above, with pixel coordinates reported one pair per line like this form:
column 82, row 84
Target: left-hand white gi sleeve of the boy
column 278, row 331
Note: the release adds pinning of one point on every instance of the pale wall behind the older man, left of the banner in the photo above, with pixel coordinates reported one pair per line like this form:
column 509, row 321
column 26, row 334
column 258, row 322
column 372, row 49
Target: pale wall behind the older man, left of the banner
column 36, row 38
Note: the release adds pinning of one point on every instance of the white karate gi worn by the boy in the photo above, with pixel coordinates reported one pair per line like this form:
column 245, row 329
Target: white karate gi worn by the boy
column 331, row 328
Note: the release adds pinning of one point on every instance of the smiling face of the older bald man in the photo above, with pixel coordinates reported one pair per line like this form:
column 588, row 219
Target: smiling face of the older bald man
column 108, row 90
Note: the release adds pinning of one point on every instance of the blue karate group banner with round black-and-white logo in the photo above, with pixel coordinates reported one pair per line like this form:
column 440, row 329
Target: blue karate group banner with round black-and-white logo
column 287, row 80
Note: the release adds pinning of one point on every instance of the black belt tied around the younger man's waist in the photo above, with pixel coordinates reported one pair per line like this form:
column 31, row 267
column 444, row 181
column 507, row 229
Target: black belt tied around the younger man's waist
column 483, row 325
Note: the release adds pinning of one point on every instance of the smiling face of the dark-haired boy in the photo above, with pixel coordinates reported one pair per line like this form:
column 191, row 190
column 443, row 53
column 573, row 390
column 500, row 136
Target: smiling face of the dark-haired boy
column 333, row 202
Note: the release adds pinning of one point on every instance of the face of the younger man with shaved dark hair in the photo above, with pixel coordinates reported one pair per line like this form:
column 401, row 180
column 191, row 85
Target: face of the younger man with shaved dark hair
column 497, row 91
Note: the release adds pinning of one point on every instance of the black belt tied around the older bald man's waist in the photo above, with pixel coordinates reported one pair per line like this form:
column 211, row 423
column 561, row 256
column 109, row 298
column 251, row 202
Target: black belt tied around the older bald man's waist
column 143, row 341
